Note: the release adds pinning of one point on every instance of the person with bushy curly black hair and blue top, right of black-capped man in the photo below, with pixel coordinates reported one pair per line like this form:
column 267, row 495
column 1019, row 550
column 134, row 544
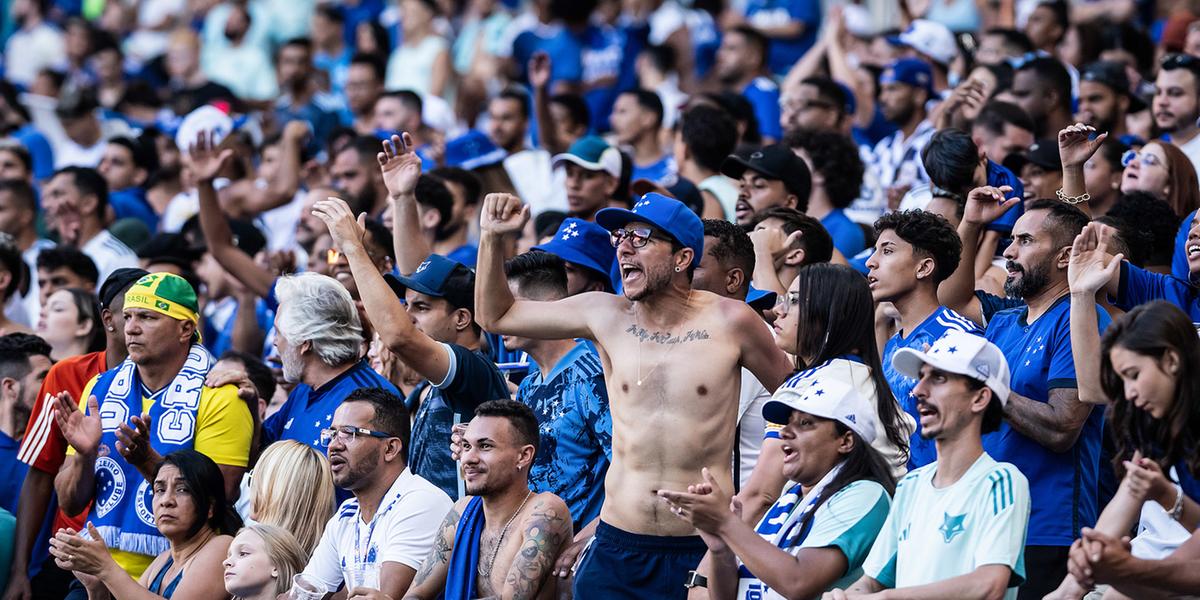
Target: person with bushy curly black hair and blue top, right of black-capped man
column 837, row 179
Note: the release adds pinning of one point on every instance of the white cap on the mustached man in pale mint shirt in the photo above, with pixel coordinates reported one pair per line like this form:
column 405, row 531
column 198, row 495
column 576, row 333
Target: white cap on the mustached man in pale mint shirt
column 959, row 353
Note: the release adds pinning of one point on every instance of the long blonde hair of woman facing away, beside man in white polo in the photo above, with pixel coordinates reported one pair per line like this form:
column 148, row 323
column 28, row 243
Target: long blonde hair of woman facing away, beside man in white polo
column 284, row 469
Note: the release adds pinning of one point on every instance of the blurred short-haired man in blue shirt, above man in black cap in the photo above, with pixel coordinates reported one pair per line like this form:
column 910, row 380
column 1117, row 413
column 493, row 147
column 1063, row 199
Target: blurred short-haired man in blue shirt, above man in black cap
column 742, row 68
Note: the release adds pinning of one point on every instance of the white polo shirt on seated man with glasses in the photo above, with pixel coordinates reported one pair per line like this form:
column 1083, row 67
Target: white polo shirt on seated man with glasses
column 404, row 530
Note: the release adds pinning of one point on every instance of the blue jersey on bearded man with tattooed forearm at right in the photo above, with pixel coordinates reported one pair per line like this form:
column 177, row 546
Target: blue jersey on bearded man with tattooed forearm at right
column 1064, row 485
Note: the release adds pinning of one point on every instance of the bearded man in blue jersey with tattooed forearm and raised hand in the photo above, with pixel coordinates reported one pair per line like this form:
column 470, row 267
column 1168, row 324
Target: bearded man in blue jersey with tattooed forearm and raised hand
column 1048, row 434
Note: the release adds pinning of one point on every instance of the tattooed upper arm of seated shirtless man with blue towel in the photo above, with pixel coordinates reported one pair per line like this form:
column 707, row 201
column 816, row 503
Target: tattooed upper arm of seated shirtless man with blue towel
column 547, row 533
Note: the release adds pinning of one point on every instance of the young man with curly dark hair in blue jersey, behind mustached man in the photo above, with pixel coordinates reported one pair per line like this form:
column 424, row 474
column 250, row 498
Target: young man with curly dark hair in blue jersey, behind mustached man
column 915, row 253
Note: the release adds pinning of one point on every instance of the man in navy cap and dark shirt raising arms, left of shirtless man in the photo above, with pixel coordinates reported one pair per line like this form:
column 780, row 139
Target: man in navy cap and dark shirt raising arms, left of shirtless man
column 434, row 333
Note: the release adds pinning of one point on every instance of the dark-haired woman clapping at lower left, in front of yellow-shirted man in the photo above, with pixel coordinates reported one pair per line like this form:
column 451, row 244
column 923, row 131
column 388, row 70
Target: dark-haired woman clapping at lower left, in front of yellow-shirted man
column 190, row 509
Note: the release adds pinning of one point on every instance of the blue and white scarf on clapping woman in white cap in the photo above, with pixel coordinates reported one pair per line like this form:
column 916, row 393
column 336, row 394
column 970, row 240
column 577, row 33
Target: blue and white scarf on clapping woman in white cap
column 782, row 527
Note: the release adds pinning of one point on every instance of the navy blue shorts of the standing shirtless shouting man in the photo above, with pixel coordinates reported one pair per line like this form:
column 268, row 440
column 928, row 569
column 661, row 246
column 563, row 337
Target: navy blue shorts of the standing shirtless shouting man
column 622, row 565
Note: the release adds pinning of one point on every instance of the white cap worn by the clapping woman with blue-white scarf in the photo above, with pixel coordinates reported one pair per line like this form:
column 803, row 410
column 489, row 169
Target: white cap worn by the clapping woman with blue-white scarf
column 827, row 399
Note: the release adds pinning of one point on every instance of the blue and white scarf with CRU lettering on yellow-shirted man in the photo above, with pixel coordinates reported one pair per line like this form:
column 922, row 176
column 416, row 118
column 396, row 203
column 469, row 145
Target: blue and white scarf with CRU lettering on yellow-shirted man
column 125, row 520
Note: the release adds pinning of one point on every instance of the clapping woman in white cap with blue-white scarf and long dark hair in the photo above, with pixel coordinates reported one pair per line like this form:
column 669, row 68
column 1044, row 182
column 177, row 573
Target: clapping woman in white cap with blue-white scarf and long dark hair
column 839, row 488
